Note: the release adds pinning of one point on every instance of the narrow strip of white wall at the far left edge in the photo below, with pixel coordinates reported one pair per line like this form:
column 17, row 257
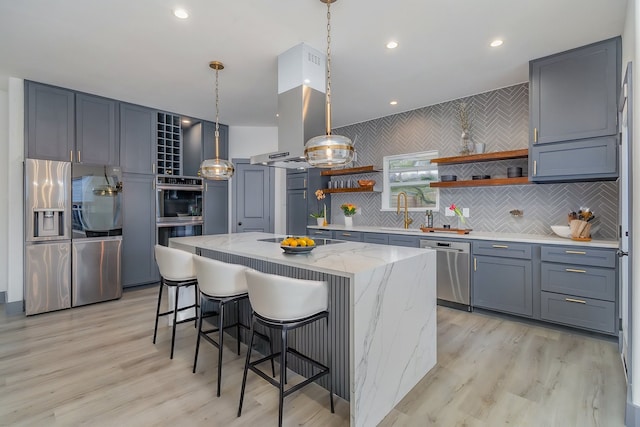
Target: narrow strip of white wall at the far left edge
column 4, row 176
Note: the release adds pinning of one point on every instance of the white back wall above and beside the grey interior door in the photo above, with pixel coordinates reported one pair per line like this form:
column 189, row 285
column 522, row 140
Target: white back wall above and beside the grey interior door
column 247, row 141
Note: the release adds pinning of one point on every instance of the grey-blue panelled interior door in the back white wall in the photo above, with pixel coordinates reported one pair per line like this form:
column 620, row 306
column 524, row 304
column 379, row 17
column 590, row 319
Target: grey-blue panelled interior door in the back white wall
column 253, row 190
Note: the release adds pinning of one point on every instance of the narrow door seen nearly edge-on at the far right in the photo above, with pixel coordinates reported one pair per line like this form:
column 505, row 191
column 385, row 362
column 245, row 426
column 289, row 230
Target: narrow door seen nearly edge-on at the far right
column 625, row 108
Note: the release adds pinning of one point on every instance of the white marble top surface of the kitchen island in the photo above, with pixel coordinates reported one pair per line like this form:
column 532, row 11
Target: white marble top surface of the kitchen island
column 343, row 259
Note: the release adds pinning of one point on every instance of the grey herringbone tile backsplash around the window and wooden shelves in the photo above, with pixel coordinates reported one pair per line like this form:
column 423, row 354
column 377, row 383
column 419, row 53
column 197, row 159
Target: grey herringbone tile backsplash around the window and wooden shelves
column 500, row 119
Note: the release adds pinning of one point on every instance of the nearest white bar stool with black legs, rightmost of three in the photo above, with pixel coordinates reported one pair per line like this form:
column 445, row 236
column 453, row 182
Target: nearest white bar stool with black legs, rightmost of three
column 285, row 304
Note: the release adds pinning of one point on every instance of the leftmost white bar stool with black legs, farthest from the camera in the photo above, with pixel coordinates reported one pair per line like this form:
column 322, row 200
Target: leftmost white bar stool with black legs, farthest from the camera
column 176, row 271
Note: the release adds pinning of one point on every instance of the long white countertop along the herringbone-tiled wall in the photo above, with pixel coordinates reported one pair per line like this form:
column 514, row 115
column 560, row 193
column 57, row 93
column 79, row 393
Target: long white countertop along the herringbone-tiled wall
column 477, row 235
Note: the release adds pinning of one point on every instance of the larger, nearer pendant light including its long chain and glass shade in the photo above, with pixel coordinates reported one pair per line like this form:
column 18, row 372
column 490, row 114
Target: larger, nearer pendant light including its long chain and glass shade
column 327, row 151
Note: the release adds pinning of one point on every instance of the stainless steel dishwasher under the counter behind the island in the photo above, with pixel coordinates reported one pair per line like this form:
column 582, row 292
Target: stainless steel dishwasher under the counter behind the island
column 452, row 272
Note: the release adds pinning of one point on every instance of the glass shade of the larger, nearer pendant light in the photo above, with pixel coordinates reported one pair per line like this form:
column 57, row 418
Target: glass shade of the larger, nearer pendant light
column 327, row 151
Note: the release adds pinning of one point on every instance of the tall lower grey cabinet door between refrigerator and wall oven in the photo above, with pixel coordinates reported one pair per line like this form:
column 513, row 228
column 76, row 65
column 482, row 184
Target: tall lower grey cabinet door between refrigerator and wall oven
column 138, row 230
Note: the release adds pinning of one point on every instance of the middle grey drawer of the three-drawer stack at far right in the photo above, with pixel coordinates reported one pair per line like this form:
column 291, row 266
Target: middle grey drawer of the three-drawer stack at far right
column 588, row 282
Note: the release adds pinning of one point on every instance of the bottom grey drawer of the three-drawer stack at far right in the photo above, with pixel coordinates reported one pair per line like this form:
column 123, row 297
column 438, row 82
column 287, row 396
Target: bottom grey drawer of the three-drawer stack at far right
column 581, row 312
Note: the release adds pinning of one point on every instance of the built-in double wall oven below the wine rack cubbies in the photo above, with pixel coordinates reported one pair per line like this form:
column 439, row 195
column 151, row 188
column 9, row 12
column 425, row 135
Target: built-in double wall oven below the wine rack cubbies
column 178, row 207
